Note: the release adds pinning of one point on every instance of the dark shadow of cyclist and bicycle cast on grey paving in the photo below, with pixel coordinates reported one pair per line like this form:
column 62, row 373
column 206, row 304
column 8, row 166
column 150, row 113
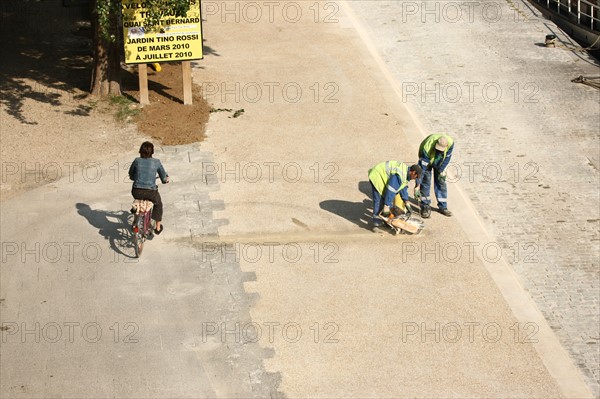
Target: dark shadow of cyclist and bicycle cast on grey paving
column 115, row 226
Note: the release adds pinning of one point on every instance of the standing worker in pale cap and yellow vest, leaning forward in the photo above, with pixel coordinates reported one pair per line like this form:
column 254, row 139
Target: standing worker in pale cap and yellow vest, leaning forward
column 435, row 153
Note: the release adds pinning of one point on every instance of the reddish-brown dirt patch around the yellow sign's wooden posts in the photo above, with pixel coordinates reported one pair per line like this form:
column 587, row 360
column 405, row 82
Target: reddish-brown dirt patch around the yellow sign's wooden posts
column 166, row 118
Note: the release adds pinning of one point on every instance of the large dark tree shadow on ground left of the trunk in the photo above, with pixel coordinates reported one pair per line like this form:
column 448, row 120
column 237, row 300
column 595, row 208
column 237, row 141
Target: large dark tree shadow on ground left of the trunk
column 46, row 53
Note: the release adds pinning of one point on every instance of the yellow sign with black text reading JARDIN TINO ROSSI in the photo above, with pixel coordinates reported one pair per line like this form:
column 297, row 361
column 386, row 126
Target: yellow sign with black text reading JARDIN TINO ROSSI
column 176, row 39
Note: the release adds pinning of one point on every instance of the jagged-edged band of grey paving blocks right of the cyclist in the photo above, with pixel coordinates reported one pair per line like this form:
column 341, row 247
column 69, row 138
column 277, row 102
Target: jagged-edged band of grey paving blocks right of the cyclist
column 234, row 363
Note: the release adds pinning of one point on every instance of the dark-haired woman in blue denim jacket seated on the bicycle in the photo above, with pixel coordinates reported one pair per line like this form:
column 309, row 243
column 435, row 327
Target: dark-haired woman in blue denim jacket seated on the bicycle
column 143, row 172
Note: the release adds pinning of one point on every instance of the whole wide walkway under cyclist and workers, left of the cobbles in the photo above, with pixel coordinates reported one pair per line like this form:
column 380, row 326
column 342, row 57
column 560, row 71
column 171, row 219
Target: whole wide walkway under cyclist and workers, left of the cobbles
column 267, row 280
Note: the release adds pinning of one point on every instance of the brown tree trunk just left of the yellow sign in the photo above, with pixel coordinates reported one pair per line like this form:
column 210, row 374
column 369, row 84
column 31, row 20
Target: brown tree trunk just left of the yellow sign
column 106, row 69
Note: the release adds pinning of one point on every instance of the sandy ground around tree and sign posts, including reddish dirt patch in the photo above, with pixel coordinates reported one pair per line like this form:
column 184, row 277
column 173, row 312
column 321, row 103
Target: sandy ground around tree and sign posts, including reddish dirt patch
column 51, row 128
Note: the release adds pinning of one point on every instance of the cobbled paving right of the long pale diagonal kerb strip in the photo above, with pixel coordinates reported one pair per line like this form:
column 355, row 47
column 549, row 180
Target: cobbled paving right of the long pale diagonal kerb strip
column 527, row 142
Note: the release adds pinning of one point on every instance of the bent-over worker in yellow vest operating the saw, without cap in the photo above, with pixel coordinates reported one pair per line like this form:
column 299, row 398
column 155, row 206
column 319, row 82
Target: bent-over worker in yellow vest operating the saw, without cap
column 389, row 179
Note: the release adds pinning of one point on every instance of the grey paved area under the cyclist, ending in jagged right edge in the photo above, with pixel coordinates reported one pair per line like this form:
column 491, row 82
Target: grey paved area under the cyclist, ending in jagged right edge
column 101, row 324
